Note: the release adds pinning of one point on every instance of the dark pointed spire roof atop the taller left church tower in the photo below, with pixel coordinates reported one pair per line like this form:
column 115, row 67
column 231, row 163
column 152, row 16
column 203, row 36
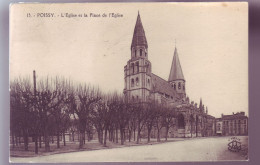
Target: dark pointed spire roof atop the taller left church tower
column 139, row 38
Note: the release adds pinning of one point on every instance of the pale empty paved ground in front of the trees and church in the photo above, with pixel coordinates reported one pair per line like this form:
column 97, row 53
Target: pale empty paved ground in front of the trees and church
column 200, row 149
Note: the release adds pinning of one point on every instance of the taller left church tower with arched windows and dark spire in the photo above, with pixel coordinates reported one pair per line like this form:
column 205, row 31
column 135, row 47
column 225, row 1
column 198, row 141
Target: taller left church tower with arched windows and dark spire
column 137, row 72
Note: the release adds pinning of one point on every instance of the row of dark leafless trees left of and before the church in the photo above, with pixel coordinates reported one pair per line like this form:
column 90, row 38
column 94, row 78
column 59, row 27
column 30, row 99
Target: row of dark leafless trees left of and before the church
column 54, row 106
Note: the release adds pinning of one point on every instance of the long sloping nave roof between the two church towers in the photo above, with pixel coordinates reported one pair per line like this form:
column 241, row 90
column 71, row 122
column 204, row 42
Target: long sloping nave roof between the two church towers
column 162, row 86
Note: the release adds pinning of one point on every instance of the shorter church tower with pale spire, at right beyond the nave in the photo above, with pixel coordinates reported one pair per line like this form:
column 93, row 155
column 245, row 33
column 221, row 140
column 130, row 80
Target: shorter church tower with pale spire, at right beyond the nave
column 176, row 78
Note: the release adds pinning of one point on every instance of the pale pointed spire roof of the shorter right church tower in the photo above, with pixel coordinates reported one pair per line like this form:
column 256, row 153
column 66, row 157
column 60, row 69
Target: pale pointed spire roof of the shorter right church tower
column 176, row 71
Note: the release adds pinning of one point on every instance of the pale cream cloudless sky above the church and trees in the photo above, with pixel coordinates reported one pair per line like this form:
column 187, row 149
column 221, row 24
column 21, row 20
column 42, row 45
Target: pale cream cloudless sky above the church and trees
column 211, row 39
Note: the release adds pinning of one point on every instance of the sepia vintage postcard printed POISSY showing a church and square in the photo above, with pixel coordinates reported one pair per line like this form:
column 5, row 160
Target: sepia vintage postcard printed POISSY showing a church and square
column 129, row 82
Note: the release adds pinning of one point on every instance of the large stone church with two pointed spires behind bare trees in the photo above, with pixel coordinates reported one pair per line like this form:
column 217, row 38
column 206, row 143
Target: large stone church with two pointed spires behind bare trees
column 141, row 85
